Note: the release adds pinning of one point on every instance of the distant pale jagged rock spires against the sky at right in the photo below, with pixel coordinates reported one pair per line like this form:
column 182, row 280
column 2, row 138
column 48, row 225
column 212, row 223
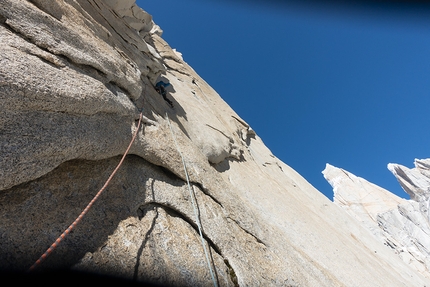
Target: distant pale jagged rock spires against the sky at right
column 402, row 225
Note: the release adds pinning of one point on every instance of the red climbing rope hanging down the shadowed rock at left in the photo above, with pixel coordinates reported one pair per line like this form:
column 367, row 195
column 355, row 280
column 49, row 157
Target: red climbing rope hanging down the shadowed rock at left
column 67, row 231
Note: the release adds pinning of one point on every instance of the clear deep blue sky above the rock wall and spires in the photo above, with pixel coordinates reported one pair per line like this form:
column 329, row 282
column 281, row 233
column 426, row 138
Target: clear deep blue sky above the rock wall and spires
column 326, row 83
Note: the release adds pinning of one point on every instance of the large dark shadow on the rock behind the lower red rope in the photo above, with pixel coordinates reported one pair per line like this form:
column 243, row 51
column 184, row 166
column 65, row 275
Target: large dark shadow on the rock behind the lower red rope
column 34, row 214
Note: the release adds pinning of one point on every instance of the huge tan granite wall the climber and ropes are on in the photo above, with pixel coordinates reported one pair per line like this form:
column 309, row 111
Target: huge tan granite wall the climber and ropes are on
column 74, row 76
